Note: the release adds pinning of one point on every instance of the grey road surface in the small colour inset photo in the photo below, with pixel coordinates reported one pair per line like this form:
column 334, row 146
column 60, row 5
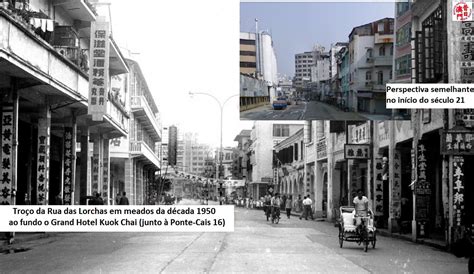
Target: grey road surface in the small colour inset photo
column 312, row 110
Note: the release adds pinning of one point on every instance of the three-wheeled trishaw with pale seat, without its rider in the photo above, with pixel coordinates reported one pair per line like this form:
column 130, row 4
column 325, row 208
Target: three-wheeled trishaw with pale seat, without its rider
column 348, row 230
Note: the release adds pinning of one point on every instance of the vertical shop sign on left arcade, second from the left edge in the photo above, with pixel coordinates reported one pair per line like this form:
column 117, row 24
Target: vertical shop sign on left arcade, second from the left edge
column 42, row 179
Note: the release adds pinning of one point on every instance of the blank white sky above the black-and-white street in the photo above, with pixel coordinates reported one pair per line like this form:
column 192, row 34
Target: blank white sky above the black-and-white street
column 182, row 50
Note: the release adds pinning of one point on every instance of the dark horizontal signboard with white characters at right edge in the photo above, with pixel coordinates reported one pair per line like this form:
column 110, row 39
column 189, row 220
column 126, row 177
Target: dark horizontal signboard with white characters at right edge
column 455, row 142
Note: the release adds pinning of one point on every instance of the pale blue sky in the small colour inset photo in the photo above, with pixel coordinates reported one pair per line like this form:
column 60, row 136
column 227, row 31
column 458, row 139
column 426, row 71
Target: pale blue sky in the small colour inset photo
column 296, row 27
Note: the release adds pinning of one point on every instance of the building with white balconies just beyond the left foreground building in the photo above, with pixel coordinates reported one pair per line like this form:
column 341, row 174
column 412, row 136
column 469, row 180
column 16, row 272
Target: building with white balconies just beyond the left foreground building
column 135, row 158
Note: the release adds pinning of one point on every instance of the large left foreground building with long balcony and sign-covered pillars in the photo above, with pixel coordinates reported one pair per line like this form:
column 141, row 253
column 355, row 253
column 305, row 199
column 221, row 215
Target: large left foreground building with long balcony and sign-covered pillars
column 48, row 86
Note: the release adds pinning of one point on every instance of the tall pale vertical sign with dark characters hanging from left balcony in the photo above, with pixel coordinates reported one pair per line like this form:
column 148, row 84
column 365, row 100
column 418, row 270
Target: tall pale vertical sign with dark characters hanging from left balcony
column 99, row 71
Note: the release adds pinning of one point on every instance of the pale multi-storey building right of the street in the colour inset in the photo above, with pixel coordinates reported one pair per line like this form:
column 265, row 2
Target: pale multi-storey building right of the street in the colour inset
column 370, row 61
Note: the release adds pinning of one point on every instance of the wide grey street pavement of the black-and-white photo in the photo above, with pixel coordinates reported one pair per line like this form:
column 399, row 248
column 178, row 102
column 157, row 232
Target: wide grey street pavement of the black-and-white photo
column 256, row 245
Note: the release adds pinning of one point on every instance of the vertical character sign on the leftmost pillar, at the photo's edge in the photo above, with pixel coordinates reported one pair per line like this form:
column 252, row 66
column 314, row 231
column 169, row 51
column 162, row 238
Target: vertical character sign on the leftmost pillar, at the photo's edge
column 7, row 155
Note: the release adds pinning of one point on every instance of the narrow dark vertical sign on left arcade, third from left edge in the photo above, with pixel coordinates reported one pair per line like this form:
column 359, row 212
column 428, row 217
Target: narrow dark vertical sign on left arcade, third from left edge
column 68, row 168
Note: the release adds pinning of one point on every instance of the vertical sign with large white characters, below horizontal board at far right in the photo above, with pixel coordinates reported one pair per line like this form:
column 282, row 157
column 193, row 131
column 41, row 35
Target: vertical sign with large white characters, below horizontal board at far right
column 458, row 191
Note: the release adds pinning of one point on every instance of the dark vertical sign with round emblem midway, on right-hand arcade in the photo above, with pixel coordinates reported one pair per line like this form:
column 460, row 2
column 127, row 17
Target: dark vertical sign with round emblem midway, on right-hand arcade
column 422, row 186
